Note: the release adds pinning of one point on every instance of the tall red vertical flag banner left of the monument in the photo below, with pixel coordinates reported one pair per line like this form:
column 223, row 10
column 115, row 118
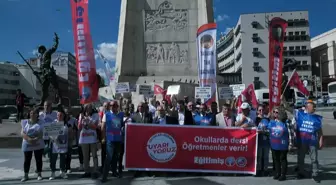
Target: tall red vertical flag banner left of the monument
column 85, row 62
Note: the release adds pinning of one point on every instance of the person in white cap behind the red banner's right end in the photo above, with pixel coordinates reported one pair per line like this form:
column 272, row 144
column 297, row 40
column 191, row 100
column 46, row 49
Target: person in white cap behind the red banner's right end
column 245, row 119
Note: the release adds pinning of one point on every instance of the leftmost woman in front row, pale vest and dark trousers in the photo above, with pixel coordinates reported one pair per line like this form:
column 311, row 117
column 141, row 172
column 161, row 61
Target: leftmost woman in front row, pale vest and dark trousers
column 32, row 134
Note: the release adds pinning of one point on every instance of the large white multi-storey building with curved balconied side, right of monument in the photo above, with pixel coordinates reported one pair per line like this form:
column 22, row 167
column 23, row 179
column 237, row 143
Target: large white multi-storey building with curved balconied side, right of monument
column 245, row 48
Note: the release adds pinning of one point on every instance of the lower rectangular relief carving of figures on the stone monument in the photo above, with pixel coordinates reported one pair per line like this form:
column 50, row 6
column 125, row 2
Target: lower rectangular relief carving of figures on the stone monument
column 167, row 53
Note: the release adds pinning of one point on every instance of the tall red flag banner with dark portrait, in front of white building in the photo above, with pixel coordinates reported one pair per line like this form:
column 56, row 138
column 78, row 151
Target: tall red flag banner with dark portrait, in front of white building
column 277, row 29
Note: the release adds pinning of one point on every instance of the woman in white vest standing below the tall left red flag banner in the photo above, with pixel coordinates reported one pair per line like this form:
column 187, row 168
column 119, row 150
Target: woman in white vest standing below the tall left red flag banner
column 87, row 125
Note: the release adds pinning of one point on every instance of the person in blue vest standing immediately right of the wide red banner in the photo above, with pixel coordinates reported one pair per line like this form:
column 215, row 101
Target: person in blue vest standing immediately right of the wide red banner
column 263, row 142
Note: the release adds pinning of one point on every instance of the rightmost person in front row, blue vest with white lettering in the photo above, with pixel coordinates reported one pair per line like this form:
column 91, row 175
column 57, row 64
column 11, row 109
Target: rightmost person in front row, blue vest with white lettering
column 309, row 138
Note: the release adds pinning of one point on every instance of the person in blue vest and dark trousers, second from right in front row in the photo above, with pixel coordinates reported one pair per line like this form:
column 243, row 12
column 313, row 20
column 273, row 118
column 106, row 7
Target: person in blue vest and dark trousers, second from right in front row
column 281, row 140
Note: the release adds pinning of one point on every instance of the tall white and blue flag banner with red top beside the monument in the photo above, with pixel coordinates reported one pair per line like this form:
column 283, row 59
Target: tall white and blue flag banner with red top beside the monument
column 207, row 59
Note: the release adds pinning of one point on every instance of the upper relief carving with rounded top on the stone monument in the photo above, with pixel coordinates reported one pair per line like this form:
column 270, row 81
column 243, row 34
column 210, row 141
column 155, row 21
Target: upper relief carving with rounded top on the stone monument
column 166, row 17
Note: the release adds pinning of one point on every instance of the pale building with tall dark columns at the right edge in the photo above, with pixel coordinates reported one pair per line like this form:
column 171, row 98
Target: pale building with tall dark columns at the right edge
column 323, row 54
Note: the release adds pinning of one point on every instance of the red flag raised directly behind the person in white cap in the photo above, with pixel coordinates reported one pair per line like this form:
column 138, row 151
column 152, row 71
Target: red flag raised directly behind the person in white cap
column 247, row 95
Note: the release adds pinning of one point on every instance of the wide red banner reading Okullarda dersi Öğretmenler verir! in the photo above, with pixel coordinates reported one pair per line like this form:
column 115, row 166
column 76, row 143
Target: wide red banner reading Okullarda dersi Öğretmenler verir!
column 190, row 149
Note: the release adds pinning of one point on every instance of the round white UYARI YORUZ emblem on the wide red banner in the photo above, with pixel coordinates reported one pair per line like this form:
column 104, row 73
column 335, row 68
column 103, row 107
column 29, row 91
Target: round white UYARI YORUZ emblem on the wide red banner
column 161, row 147
